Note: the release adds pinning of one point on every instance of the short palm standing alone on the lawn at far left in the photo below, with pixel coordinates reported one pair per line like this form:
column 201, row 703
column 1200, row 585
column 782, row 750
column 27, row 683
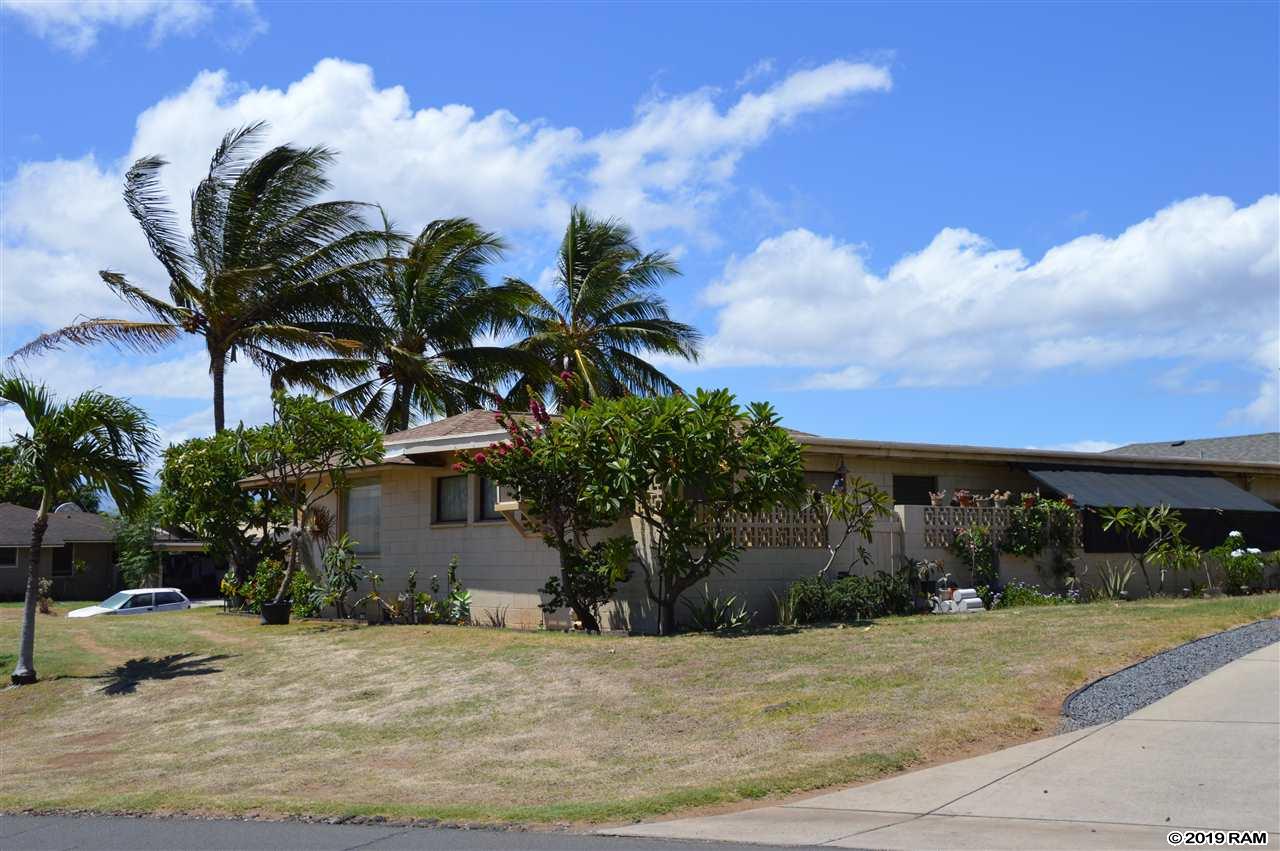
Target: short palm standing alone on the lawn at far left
column 94, row 441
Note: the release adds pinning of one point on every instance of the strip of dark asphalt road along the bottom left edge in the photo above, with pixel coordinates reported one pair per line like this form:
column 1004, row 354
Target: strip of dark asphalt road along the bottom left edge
column 48, row 832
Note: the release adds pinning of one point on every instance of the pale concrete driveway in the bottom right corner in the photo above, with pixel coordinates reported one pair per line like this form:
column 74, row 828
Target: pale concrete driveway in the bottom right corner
column 1208, row 757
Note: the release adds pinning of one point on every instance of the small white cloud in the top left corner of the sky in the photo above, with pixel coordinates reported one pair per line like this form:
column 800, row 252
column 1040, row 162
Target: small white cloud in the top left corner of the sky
column 75, row 25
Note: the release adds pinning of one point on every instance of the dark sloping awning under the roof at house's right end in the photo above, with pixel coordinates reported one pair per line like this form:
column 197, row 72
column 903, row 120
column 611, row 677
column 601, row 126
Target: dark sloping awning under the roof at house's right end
column 1100, row 488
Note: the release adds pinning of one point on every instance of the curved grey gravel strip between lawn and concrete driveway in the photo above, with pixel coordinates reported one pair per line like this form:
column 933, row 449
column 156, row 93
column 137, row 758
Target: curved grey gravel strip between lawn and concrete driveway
column 1130, row 690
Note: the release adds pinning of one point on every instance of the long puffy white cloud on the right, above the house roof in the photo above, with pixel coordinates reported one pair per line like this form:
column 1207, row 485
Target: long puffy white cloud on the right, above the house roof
column 1195, row 283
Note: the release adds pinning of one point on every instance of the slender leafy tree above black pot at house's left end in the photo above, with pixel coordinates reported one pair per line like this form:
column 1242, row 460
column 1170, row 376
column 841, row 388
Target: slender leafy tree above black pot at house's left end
column 304, row 457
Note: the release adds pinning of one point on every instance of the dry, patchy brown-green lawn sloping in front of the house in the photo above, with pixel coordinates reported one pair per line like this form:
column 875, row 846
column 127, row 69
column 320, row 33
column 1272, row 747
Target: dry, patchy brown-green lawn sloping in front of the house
column 203, row 712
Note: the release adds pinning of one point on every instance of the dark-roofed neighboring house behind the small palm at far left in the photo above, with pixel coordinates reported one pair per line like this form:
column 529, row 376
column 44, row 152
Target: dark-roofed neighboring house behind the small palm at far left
column 79, row 553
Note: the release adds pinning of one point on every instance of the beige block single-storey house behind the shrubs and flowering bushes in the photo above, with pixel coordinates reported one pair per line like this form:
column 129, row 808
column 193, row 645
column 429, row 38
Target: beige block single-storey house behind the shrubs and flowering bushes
column 414, row 513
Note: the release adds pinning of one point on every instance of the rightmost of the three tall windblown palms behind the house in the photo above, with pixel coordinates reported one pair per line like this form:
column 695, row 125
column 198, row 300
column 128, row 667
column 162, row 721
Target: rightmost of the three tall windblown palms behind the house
column 605, row 317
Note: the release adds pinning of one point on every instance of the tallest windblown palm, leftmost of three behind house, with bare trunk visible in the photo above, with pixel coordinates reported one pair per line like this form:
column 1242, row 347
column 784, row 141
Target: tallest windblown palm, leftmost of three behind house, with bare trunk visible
column 266, row 262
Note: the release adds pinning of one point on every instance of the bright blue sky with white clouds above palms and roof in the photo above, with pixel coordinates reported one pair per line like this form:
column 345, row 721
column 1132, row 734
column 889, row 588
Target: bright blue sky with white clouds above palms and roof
column 1046, row 226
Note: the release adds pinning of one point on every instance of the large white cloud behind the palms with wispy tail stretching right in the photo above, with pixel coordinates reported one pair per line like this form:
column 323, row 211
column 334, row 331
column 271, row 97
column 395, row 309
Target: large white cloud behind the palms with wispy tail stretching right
column 65, row 219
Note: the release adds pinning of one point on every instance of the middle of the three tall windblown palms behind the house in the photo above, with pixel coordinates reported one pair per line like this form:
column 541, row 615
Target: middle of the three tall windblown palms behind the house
column 418, row 327
